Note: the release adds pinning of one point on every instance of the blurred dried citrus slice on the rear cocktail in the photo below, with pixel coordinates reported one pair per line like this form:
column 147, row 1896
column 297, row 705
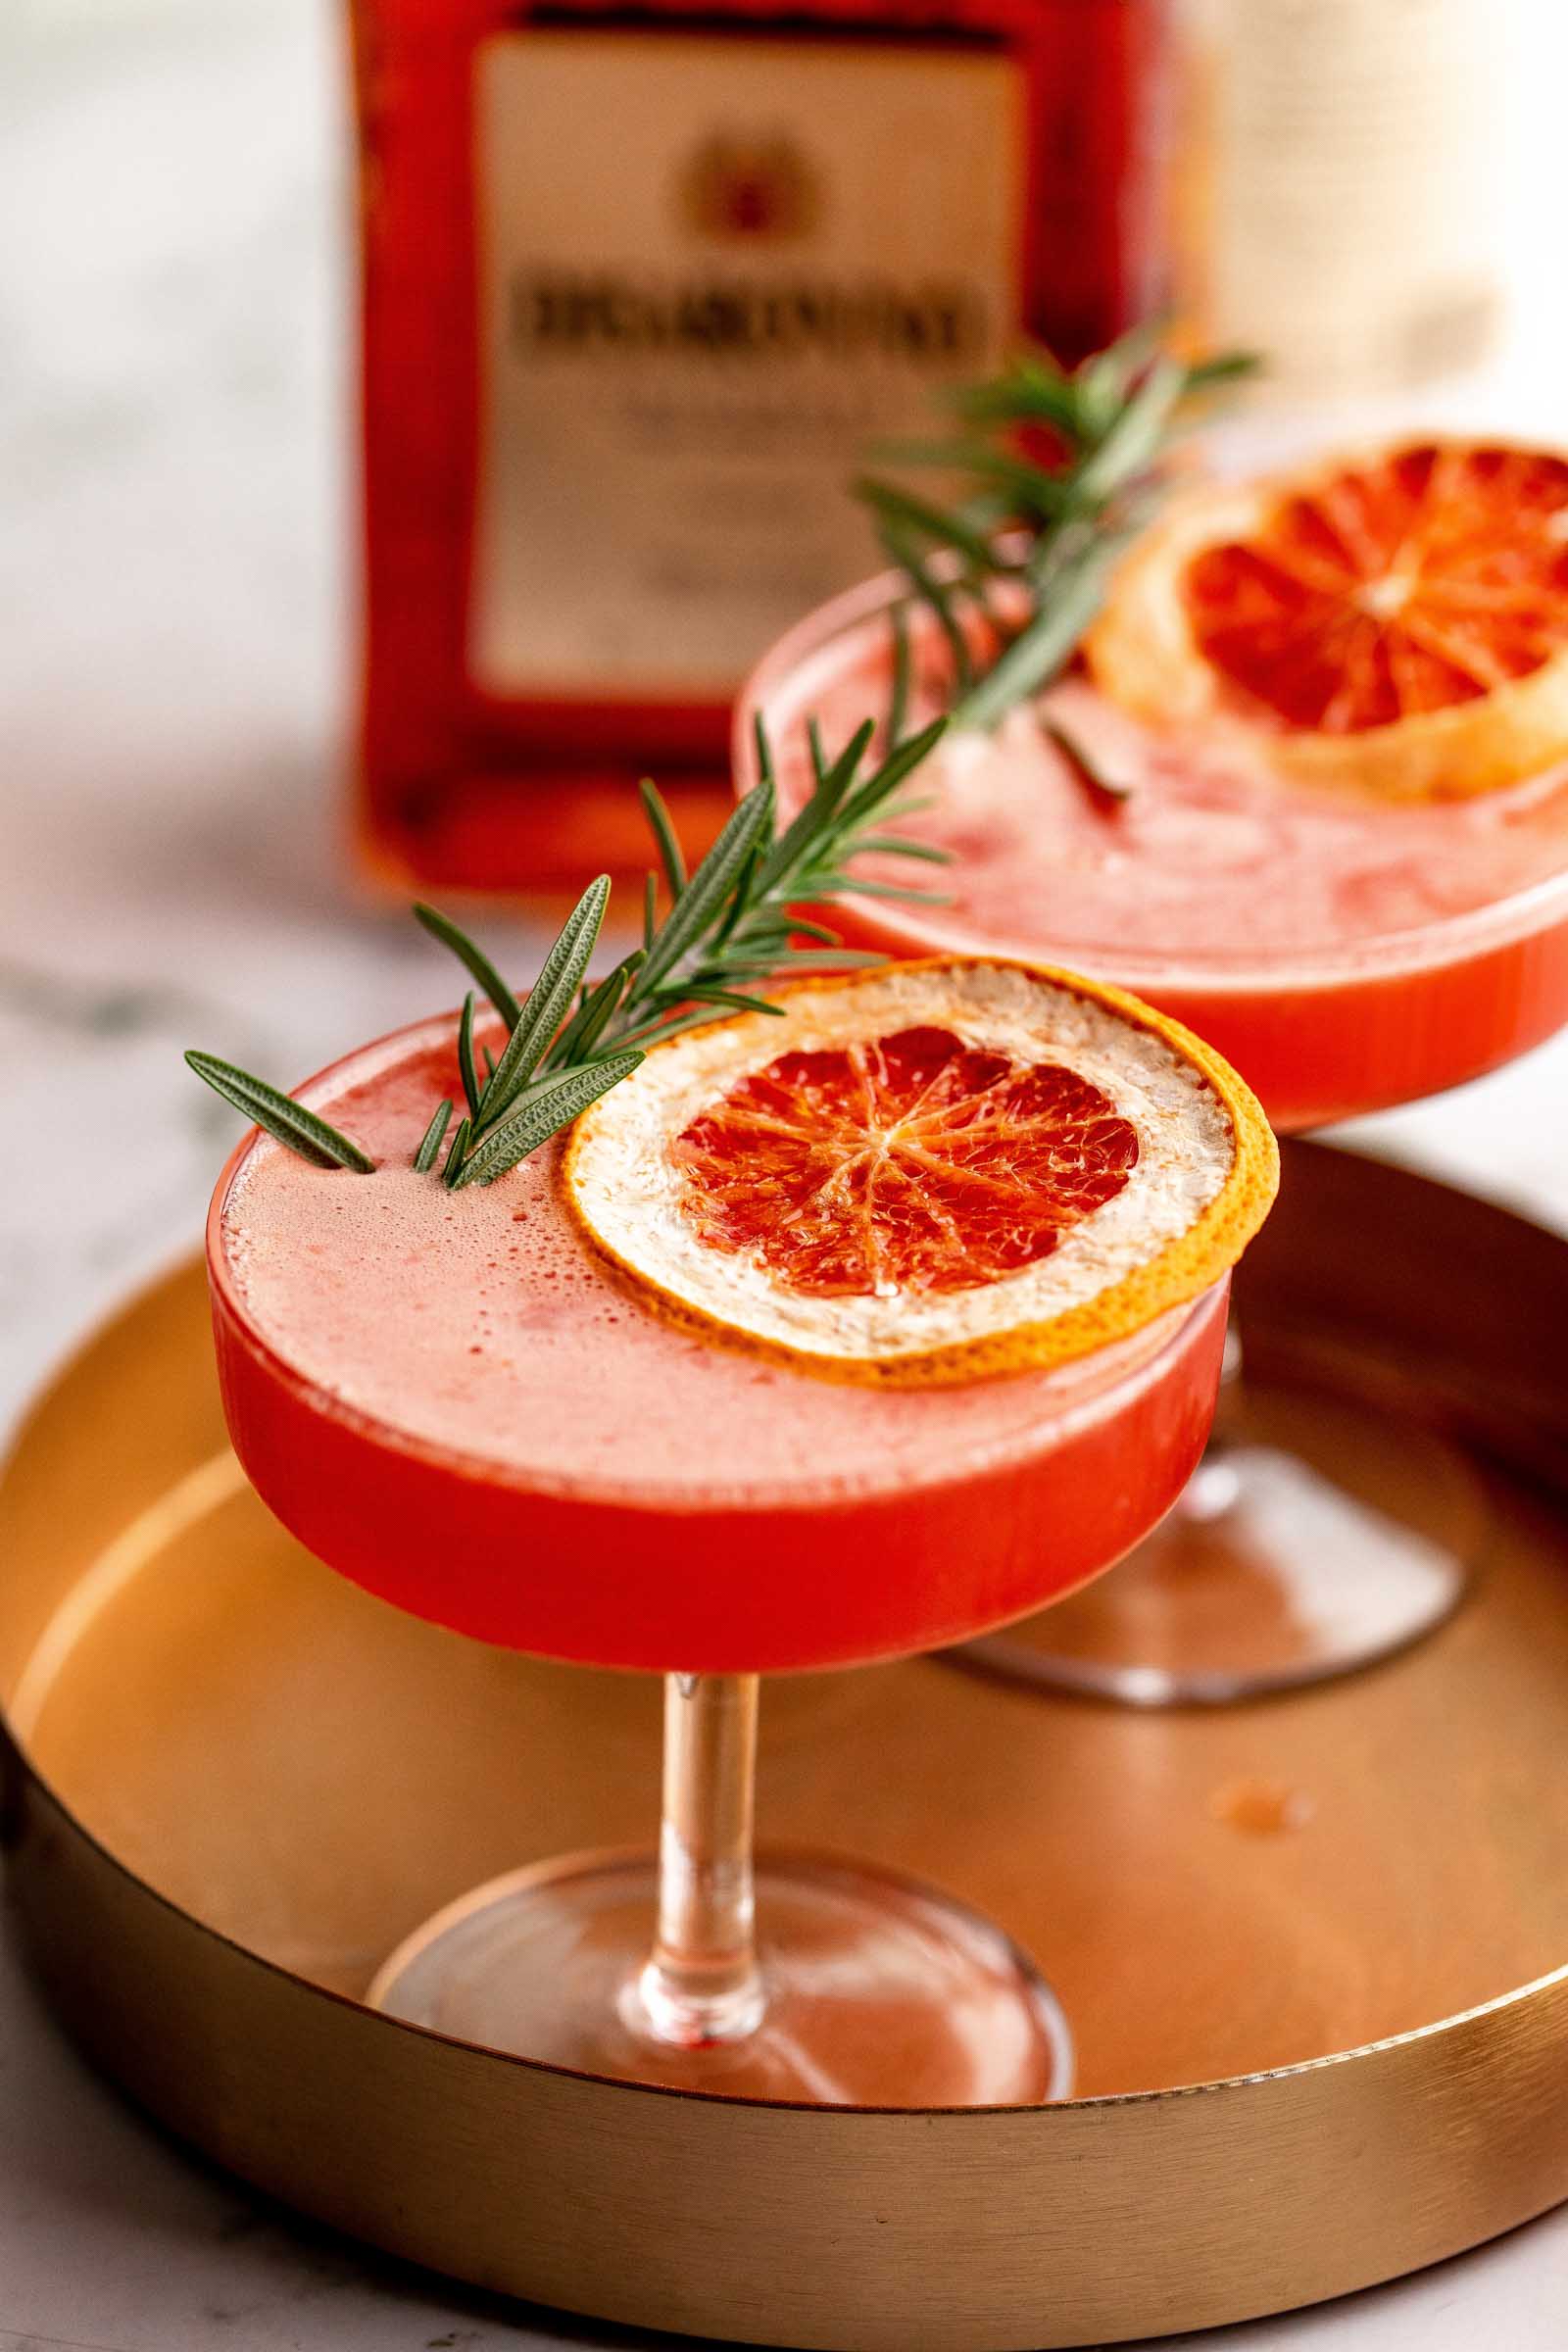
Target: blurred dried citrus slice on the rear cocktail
column 1395, row 622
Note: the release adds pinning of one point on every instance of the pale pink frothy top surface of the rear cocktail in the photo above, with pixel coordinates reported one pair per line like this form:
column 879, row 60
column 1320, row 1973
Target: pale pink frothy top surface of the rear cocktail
column 1205, row 864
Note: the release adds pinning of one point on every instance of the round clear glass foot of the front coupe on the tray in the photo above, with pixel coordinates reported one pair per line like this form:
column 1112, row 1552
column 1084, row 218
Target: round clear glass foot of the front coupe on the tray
column 871, row 1991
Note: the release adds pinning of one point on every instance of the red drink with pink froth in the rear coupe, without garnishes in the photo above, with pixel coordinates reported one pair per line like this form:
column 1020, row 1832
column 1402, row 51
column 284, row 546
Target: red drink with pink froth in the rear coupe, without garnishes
column 1341, row 954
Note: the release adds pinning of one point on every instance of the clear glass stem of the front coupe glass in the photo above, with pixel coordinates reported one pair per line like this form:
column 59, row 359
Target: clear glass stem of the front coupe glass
column 702, row 1982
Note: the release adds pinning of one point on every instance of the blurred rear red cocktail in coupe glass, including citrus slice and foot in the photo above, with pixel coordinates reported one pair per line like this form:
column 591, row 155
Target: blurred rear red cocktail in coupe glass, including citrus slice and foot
column 1308, row 794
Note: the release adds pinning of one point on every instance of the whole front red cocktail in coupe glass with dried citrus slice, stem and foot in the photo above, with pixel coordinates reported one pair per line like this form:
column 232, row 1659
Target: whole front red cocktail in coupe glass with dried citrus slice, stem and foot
column 737, row 1459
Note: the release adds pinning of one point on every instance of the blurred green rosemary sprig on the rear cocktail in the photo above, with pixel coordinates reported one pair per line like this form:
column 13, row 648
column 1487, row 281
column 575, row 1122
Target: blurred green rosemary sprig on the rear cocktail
column 1017, row 566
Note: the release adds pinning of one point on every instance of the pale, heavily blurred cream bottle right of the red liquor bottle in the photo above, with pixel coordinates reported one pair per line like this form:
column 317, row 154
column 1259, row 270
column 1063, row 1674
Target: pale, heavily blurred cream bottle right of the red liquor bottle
column 1339, row 187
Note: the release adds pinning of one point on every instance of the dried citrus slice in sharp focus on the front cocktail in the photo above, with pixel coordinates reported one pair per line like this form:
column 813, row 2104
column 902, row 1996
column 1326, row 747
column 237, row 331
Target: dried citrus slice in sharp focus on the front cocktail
column 927, row 1172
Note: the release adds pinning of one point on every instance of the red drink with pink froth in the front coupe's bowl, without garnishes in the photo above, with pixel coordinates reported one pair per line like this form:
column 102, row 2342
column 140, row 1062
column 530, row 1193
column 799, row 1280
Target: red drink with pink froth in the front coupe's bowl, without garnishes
column 453, row 1401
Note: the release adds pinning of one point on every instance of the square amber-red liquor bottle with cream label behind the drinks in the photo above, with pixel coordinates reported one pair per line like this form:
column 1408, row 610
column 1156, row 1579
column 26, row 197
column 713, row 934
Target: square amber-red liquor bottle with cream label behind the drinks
column 641, row 288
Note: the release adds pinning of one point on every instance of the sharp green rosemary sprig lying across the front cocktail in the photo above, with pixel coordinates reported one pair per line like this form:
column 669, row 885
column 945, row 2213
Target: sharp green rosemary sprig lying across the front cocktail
column 728, row 930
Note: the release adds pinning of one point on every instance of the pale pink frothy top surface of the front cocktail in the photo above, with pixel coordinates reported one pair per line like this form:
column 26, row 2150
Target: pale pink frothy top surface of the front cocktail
column 483, row 1325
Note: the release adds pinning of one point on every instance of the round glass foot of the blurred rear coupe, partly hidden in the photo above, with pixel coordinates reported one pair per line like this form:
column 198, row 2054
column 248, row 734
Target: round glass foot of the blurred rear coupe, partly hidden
column 1315, row 1542
